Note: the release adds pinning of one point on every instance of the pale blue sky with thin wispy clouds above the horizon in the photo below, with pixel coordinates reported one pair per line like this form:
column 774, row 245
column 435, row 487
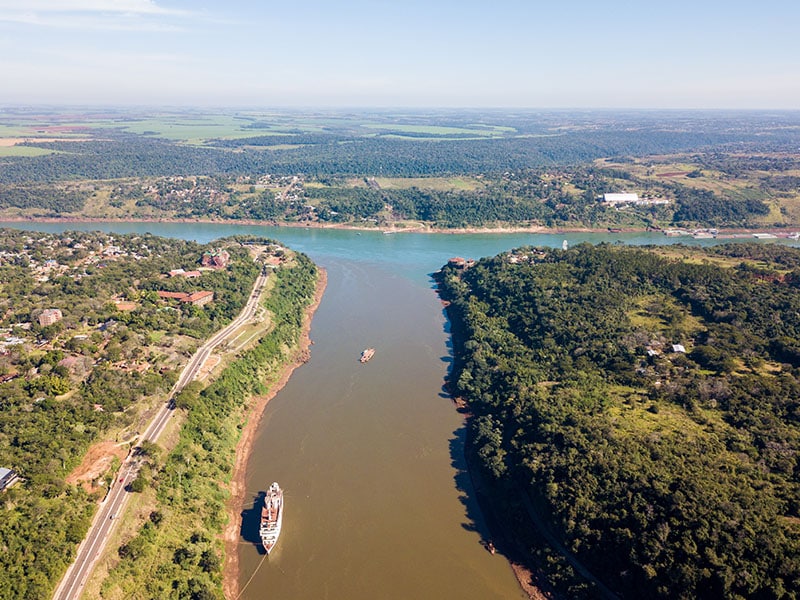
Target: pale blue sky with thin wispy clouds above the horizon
column 402, row 53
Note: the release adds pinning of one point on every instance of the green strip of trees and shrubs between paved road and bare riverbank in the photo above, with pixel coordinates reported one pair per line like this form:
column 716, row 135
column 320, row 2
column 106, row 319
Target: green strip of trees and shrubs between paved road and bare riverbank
column 180, row 553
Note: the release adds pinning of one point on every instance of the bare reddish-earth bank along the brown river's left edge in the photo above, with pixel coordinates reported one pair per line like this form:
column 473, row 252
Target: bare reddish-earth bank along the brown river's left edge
column 243, row 448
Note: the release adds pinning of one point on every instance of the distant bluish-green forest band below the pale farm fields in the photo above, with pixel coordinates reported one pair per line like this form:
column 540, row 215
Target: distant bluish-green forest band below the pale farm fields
column 115, row 155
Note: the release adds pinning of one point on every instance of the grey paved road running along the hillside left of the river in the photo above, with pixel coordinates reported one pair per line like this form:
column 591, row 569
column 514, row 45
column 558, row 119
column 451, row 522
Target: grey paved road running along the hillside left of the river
column 77, row 574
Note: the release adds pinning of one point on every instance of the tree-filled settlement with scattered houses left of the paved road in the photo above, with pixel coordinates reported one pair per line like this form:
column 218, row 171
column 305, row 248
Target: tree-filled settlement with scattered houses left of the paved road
column 89, row 375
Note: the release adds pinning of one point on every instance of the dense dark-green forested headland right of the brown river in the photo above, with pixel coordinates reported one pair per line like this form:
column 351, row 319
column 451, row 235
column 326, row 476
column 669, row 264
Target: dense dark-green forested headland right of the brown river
column 645, row 403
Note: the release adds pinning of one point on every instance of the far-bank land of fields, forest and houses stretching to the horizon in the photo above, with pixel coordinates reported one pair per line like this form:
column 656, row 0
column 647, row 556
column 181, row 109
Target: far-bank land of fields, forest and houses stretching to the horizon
column 445, row 169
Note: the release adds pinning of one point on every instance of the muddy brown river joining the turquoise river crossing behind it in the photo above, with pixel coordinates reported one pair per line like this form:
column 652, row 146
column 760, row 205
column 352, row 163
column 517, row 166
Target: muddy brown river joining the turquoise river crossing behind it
column 370, row 456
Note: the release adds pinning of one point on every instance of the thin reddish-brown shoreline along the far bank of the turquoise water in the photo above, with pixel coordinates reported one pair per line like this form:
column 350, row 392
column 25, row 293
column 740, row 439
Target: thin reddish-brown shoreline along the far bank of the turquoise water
column 726, row 233
